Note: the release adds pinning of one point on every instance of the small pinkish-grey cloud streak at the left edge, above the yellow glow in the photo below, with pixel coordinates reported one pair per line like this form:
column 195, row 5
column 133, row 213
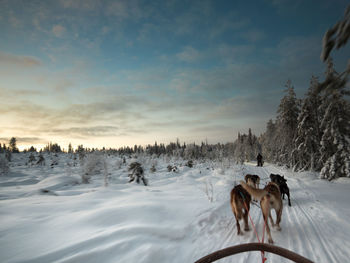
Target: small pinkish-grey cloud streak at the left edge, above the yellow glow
column 18, row 60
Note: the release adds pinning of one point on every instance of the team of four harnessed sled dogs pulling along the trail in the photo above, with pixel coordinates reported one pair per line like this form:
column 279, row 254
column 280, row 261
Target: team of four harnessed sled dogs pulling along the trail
column 270, row 197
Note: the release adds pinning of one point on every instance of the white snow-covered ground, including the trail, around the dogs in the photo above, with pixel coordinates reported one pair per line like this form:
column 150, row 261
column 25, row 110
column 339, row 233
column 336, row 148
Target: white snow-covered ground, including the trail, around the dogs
column 47, row 215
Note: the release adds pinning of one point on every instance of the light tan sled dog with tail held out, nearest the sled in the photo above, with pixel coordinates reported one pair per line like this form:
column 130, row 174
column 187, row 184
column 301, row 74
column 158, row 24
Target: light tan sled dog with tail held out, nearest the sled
column 270, row 198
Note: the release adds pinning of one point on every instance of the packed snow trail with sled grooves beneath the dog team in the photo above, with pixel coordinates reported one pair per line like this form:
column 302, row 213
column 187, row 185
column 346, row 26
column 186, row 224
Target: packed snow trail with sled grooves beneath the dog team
column 299, row 228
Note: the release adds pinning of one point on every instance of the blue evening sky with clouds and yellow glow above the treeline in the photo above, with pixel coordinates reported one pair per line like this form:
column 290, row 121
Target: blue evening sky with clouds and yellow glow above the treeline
column 125, row 72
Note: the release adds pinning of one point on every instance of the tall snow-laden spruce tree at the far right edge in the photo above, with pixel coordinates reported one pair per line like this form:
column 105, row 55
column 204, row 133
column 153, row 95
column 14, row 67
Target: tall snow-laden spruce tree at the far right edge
column 335, row 124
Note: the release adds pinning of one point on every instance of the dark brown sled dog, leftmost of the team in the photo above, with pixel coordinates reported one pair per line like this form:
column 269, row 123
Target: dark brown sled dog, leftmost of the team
column 240, row 201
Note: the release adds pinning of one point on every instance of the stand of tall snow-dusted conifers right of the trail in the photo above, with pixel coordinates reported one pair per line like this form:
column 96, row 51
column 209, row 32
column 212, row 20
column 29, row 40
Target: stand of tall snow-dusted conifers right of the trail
column 314, row 133
